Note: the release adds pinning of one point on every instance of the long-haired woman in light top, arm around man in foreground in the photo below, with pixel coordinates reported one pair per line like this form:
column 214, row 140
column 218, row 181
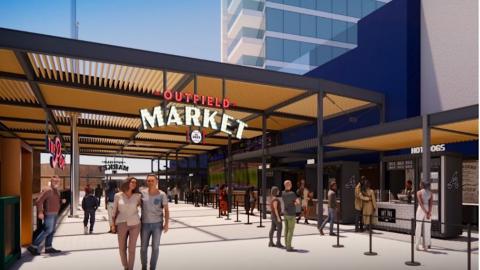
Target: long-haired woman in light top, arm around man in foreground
column 127, row 220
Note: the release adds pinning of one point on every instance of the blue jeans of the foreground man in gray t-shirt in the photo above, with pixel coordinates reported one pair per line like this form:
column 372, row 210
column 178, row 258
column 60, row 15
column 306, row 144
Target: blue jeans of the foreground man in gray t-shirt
column 155, row 231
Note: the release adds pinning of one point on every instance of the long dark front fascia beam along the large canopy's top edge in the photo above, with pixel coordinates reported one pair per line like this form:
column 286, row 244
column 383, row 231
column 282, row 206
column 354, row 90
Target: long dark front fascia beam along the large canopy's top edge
column 25, row 41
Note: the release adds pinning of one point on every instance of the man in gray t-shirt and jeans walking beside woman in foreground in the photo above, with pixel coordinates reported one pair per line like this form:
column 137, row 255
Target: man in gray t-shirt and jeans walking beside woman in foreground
column 155, row 216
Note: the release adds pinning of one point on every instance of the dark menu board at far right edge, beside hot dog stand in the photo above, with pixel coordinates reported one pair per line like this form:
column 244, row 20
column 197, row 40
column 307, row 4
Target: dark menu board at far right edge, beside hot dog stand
column 470, row 181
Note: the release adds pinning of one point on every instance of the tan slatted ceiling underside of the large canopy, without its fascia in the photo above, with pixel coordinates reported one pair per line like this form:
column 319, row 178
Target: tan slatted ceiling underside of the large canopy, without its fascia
column 107, row 98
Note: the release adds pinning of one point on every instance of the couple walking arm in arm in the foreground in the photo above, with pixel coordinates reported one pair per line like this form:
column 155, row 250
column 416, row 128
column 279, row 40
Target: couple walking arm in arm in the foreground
column 127, row 223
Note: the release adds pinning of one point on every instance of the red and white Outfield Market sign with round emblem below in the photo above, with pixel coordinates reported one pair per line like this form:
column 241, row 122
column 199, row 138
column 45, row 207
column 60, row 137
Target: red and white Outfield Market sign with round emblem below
column 191, row 116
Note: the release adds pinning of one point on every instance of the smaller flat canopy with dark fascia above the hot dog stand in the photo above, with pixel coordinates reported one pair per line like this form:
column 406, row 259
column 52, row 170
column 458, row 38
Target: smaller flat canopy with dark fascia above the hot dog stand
column 458, row 125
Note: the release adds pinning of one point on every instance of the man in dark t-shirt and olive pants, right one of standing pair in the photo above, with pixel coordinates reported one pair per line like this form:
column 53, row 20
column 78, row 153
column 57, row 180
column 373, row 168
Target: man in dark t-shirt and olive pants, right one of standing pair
column 290, row 200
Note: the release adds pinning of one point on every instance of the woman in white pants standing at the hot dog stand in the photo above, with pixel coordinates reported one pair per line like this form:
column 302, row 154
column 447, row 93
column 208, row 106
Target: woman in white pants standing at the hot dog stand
column 424, row 213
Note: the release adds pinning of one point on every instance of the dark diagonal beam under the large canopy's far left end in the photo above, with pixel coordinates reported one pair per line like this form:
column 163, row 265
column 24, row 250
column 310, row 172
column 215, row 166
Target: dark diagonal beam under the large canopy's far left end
column 27, row 68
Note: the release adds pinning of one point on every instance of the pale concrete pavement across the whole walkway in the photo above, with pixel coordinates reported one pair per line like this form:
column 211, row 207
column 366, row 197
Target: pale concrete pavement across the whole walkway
column 197, row 239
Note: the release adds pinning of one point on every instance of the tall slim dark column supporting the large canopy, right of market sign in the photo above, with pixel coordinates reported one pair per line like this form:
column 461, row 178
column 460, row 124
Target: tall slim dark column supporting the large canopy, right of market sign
column 319, row 163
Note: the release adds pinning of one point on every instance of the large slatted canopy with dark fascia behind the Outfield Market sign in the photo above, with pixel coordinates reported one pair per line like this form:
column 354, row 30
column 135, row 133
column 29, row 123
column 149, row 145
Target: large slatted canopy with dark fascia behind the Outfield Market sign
column 46, row 79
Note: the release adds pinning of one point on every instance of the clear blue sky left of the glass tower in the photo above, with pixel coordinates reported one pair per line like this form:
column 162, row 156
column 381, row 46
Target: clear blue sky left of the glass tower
column 183, row 27
